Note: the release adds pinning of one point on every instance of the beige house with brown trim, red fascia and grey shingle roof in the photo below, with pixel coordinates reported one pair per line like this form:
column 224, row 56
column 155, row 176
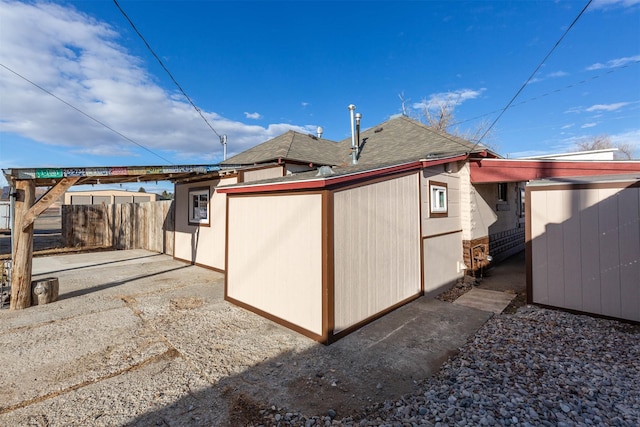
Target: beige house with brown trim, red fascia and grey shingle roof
column 323, row 246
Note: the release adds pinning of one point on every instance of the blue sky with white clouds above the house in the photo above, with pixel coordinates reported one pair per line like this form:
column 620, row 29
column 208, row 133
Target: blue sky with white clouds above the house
column 79, row 87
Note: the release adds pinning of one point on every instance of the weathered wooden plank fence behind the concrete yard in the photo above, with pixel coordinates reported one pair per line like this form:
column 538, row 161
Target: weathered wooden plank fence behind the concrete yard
column 148, row 225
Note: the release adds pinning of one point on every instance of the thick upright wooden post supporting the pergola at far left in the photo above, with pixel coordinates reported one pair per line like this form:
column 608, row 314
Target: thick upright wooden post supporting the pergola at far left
column 22, row 247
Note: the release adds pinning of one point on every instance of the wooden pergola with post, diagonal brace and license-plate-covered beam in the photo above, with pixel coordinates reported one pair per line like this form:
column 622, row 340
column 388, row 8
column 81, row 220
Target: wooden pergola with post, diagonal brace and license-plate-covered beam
column 25, row 209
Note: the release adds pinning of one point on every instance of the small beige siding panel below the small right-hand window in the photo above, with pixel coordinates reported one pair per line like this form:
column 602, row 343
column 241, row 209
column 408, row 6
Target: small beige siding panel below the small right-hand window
column 442, row 256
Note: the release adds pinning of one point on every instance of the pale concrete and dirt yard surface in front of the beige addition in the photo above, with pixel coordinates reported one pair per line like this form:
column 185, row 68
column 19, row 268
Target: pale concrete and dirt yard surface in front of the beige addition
column 137, row 338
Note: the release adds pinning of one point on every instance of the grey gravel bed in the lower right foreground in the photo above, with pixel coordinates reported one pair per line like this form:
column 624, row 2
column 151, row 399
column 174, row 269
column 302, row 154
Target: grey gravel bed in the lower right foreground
column 535, row 367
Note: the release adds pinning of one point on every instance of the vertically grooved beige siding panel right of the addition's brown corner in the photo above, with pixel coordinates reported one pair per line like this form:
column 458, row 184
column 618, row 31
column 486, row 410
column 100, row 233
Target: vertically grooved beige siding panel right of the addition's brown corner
column 376, row 248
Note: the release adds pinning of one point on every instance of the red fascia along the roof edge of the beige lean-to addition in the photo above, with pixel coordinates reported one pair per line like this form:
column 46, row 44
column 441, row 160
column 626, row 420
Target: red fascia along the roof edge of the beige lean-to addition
column 325, row 182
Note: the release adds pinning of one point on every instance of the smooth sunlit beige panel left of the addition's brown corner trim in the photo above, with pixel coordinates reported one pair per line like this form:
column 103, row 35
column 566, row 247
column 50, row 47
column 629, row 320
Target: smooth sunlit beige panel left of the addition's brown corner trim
column 275, row 256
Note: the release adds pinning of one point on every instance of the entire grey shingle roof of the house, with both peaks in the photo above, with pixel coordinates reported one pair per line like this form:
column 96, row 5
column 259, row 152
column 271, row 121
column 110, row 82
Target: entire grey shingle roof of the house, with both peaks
column 397, row 140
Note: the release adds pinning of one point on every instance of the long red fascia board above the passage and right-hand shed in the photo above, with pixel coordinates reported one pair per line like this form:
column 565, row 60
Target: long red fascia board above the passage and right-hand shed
column 506, row 170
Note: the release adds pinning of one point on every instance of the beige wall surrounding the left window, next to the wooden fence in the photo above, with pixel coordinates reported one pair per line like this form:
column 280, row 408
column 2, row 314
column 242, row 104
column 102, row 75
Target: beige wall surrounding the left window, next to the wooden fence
column 200, row 244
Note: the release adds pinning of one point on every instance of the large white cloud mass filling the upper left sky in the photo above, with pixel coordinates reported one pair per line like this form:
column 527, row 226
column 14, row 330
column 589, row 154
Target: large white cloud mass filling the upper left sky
column 80, row 60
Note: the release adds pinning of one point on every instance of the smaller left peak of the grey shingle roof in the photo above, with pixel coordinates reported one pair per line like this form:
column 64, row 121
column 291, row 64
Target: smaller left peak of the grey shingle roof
column 292, row 146
